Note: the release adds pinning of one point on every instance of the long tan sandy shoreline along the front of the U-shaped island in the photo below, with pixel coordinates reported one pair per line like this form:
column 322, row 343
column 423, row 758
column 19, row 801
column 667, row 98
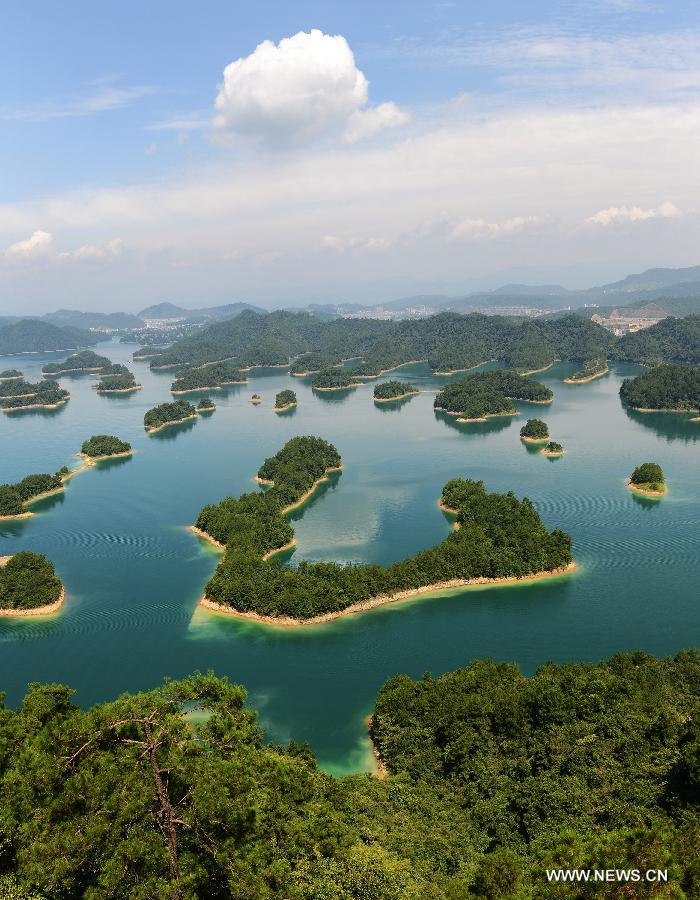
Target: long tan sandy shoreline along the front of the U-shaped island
column 382, row 600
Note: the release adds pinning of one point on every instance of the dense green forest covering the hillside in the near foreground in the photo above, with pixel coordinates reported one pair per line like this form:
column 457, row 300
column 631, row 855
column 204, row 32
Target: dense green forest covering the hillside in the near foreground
column 492, row 778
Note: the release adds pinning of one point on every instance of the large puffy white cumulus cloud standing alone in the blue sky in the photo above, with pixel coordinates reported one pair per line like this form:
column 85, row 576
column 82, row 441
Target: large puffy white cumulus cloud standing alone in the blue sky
column 305, row 87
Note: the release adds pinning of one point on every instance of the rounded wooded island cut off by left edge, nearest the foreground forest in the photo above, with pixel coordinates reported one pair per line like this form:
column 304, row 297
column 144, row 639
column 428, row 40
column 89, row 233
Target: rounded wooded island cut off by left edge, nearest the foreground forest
column 29, row 586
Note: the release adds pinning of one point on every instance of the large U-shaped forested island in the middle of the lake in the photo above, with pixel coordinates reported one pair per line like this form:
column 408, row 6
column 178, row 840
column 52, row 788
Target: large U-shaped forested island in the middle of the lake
column 498, row 540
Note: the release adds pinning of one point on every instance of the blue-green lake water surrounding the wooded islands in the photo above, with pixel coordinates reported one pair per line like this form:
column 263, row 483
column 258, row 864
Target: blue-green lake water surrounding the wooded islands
column 133, row 573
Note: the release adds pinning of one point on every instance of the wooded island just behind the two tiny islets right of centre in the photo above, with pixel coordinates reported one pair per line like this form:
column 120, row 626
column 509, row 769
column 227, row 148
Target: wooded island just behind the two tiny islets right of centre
column 485, row 394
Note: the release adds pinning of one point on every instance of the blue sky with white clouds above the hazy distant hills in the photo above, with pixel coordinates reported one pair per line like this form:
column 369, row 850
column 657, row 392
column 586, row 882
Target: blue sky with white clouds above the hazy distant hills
column 281, row 154
